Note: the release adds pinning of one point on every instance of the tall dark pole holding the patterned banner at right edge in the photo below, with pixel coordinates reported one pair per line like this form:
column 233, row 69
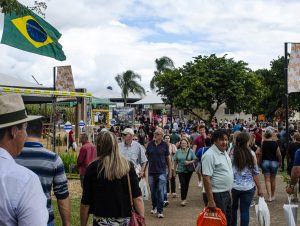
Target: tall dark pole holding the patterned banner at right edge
column 286, row 94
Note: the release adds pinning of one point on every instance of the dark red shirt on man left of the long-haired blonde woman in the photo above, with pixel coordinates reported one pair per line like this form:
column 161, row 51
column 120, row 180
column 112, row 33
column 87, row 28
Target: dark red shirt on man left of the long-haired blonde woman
column 87, row 154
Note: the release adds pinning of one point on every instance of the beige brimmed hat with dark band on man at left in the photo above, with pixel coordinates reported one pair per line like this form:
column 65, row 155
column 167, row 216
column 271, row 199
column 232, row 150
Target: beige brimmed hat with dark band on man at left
column 12, row 111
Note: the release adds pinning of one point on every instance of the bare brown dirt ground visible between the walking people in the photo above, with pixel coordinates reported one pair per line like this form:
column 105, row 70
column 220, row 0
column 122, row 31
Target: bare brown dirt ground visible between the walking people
column 176, row 215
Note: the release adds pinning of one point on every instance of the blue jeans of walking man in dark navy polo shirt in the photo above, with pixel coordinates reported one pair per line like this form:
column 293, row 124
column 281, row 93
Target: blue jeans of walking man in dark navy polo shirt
column 157, row 183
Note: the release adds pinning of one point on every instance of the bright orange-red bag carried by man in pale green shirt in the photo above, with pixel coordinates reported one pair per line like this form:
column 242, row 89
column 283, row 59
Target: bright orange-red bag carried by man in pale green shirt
column 209, row 218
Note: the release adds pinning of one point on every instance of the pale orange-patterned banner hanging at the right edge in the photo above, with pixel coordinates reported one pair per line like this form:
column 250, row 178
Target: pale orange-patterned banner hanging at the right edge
column 294, row 69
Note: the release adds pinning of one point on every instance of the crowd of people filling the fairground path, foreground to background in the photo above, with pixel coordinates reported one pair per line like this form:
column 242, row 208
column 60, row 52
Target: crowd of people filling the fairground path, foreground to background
column 227, row 158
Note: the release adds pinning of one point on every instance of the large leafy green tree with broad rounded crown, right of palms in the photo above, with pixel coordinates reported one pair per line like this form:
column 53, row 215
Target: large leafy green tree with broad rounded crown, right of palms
column 208, row 82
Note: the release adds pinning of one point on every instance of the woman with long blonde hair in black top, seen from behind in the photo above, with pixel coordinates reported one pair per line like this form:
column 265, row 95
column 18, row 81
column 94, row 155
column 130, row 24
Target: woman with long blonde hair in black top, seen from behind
column 105, row 186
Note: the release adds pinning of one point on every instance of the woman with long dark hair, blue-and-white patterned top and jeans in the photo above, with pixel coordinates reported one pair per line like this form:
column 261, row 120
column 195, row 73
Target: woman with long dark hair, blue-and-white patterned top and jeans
column 245, row 178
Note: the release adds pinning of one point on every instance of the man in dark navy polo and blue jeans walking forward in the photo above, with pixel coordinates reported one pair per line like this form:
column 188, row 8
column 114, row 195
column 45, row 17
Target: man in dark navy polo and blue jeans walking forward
column 159, row 160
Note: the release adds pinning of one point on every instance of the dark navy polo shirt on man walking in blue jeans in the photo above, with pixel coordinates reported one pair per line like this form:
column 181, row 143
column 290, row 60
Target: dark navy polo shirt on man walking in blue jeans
column 157, row 157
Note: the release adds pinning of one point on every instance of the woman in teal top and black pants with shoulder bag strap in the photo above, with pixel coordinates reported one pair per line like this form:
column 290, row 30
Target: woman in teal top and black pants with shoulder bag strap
column 184, row 159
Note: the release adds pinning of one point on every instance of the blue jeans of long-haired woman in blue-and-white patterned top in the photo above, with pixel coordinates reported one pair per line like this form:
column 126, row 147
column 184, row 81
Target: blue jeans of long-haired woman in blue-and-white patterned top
column 243, row 198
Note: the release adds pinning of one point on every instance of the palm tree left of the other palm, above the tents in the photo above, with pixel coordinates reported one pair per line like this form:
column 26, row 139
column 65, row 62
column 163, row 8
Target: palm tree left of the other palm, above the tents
column 128, row 84
